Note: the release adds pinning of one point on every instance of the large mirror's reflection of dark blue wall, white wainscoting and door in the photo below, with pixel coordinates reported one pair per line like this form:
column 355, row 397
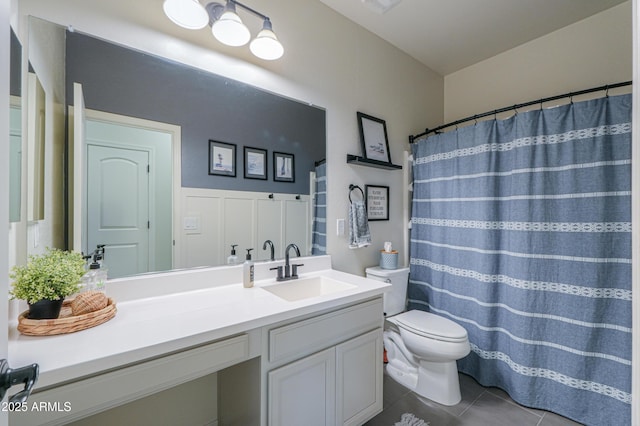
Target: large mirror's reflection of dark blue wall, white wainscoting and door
column 126, row 91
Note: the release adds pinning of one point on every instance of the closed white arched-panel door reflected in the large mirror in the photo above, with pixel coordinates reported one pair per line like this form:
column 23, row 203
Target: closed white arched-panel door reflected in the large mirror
column 118, row 207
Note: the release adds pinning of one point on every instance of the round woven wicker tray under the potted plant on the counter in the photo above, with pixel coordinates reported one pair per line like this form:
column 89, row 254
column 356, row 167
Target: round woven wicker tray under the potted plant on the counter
column 66, row 322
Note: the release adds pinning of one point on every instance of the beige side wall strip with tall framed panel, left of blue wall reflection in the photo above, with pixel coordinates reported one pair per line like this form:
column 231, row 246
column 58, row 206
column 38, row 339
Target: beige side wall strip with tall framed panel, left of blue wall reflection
column 44, row 134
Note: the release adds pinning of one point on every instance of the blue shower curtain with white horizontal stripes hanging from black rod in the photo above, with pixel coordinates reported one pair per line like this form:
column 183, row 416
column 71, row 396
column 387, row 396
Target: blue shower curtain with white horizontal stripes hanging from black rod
column 521, row 233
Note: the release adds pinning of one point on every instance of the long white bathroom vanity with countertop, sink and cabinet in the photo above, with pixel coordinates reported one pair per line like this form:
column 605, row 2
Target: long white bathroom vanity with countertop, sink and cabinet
column 304, row 351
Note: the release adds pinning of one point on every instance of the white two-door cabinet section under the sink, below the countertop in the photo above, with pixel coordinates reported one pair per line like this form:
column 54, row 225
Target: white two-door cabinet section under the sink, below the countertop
column 327, row 369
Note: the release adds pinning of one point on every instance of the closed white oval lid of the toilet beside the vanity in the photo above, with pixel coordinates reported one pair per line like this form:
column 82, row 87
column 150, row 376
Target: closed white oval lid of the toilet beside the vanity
column 432, row 326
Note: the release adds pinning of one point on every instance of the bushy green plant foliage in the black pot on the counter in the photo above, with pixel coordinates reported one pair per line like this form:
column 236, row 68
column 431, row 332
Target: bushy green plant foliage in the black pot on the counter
column 53, row 275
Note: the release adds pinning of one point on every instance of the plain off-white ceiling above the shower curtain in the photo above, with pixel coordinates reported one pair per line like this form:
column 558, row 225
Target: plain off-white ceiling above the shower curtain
column 448, row 35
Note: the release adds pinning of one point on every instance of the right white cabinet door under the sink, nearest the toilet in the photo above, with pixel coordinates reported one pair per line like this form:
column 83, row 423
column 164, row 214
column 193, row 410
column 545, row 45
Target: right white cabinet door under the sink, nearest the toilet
column 359, row 378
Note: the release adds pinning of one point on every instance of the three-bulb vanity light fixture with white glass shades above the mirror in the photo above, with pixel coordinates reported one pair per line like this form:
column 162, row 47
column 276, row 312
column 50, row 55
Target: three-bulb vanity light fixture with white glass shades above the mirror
column 226, row 25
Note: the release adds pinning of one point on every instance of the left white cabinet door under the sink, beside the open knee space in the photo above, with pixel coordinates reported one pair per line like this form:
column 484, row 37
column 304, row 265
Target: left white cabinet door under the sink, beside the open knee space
column 303, row 392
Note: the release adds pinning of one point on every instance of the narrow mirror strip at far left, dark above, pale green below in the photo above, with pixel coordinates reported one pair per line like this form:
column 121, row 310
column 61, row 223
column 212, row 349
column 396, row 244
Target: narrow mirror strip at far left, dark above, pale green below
column 15, row 129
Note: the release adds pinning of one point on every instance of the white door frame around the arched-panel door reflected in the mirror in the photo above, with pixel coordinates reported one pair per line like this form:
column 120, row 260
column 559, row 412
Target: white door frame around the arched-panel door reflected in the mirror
column 176, row 143
